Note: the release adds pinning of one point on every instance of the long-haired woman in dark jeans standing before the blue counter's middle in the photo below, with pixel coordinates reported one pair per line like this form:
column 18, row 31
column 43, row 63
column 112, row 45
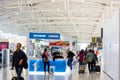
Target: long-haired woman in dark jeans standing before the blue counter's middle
column 45, row 57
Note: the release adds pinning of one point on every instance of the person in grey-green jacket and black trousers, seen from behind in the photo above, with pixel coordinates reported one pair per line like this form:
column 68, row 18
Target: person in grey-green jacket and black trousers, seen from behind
column 90, row 57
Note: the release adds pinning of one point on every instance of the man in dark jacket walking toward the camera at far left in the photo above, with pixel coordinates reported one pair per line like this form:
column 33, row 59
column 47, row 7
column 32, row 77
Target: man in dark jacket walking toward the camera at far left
column 18, row 58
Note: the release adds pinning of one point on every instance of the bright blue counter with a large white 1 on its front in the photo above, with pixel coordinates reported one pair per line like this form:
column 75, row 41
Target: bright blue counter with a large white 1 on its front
column 37, row 65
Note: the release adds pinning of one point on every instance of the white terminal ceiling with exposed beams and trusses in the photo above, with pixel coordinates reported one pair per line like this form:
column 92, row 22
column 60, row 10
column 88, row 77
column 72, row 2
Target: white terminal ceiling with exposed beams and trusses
column 81, row 18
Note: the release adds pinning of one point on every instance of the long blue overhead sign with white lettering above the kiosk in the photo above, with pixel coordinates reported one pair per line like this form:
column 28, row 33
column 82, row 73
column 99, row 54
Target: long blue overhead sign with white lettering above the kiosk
column 44, row 35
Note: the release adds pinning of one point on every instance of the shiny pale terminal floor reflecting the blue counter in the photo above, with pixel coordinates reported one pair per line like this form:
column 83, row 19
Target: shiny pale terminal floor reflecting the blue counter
column 74, row 75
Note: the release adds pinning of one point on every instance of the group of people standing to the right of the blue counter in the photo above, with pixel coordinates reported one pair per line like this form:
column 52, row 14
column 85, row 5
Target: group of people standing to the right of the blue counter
column 84, row 57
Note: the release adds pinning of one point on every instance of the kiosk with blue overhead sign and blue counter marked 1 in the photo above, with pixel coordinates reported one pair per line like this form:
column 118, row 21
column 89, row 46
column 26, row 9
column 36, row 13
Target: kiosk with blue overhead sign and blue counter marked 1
column 39, row 41
